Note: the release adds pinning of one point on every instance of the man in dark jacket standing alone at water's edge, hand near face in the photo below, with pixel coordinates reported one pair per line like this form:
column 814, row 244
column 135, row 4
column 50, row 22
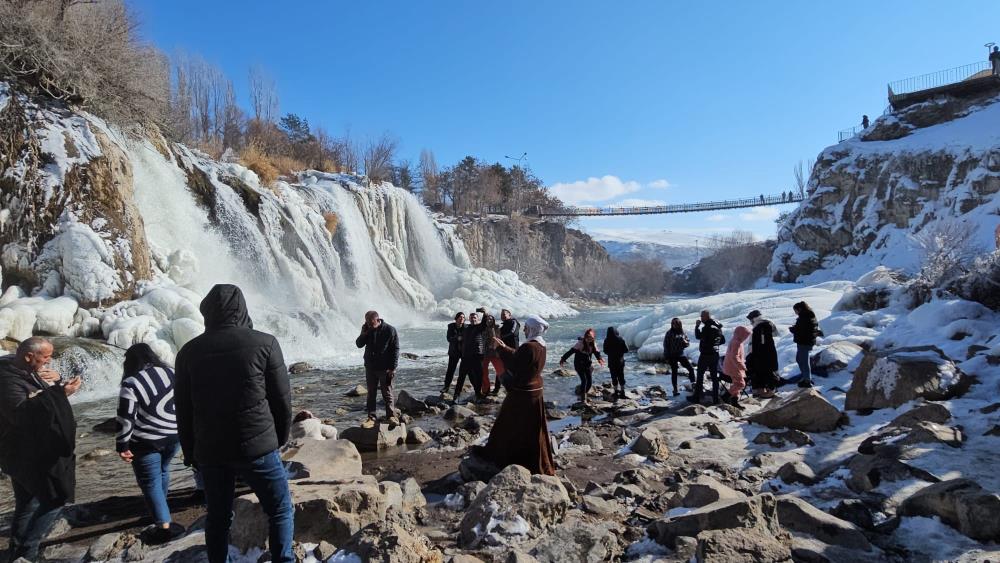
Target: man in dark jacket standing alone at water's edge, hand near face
column 381, row 344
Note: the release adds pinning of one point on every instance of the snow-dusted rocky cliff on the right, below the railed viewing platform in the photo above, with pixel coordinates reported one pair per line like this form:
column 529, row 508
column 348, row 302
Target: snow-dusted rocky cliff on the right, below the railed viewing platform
column 873, row 199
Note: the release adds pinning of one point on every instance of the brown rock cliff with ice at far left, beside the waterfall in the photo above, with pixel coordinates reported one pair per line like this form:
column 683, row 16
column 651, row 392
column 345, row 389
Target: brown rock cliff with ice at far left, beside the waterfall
column 68, row 222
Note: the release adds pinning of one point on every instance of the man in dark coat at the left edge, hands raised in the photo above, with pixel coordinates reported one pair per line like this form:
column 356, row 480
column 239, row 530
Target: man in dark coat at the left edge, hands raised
column 37, row 443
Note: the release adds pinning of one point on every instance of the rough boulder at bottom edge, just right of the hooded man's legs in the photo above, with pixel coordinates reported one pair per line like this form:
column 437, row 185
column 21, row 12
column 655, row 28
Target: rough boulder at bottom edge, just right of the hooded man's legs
column 391, row 541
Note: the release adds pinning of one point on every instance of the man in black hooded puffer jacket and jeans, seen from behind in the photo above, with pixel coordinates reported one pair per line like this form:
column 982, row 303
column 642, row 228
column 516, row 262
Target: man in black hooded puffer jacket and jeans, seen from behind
column 233, row 402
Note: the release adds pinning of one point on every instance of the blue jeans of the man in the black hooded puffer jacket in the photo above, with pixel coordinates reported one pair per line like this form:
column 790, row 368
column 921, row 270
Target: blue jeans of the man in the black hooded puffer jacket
column 268, row 479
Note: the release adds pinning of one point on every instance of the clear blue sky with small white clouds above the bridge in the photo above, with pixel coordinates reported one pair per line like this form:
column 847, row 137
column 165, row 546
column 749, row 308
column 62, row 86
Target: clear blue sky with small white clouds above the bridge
column 612, row 101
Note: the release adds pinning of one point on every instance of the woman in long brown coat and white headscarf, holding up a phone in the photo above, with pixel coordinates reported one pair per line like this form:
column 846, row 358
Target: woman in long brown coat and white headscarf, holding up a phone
column 520, row 434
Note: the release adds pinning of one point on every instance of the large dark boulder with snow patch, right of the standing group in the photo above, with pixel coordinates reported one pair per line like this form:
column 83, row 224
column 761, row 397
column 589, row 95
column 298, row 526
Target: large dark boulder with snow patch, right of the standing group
column 890, row 379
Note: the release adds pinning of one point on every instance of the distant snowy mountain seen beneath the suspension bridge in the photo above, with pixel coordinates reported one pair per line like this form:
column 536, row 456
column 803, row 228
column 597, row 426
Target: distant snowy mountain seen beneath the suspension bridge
column 671, row 248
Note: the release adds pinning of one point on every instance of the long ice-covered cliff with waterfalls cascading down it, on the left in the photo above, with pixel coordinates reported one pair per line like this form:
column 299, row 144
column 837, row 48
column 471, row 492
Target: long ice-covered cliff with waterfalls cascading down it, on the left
column 108, row 235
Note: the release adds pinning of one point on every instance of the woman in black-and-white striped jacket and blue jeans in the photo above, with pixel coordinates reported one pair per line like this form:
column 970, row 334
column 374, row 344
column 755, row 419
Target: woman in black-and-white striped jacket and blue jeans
column 147, row 432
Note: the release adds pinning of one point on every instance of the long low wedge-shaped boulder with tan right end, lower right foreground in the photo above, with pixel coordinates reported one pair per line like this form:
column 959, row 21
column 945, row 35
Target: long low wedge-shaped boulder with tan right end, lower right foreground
column 758, row 513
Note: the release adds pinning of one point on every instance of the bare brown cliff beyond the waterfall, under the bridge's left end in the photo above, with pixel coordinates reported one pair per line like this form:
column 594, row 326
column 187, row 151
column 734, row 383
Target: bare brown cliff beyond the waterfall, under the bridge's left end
column 546, row 254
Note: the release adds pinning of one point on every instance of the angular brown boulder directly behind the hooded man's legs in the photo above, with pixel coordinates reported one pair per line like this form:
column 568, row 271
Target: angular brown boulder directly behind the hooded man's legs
column 331, row 511
